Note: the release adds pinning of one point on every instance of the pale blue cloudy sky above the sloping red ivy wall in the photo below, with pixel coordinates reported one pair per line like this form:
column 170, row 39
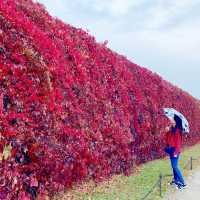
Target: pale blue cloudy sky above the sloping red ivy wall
column 161, row 35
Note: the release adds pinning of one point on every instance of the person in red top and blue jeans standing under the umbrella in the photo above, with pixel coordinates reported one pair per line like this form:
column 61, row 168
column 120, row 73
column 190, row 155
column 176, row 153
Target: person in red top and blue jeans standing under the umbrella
column 173, row 148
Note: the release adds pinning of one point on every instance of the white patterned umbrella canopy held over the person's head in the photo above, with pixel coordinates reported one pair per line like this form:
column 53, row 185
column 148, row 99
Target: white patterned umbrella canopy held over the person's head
column 171, row 113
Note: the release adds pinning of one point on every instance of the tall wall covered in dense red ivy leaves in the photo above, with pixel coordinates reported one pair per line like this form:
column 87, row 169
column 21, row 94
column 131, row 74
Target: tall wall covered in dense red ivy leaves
column 71, row 109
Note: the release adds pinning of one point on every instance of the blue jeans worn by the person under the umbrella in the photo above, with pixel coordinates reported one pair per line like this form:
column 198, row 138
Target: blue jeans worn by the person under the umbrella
column 178, row 178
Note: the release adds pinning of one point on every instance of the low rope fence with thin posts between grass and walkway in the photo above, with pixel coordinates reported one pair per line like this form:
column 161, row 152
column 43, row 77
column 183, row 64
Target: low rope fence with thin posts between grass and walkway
column 159, row 183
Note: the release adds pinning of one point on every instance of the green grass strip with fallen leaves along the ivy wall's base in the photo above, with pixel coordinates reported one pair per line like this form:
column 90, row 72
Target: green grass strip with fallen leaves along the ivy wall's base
column 135, row 186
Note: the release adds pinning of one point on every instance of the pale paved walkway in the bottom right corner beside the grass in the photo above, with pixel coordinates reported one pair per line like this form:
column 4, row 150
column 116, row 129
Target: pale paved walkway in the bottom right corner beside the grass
column 192, row 192
